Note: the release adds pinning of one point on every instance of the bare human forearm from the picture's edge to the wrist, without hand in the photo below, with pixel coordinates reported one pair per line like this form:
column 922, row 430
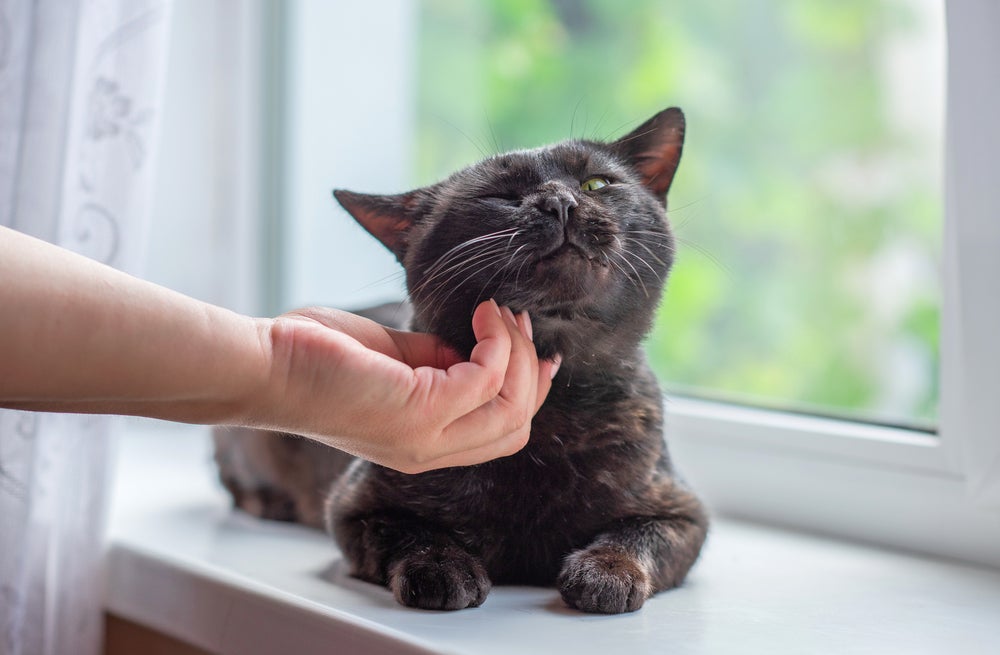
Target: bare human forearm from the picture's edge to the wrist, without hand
column 79, row 336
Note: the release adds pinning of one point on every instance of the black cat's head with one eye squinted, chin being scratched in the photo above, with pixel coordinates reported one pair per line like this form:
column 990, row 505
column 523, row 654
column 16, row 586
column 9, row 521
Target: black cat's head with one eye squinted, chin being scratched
column 574, row 233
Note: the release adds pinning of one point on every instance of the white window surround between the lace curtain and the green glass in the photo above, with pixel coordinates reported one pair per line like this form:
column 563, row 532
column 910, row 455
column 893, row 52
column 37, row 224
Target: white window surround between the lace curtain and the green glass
column 244, row 215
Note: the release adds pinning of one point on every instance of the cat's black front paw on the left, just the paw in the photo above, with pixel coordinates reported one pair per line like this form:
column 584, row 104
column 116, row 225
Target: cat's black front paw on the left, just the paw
column 439, row 579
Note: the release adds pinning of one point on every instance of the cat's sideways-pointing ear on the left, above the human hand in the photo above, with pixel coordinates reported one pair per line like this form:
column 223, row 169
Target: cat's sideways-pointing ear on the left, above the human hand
column 388, row 218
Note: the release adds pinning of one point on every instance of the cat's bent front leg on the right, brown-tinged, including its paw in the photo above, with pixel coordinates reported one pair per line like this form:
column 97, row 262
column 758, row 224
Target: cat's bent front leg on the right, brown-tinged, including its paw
column 636, row 558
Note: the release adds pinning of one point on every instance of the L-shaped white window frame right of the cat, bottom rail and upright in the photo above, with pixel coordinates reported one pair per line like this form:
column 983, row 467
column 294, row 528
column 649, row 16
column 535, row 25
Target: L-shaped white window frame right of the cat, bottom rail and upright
column 892, row 486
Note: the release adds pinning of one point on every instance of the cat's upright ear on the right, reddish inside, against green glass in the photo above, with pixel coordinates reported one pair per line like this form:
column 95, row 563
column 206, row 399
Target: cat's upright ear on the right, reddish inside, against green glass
column 654, row 149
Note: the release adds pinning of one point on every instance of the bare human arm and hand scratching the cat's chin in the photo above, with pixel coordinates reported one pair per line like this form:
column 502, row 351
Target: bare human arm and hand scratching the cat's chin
column 78, row 336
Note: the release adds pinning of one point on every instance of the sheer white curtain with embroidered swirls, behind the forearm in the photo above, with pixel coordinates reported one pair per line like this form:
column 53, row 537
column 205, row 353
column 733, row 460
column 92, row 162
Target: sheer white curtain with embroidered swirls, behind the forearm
column 80, row 86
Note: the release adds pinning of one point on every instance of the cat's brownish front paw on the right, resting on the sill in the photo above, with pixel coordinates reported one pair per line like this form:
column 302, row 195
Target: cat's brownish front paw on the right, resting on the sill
column 604, row 581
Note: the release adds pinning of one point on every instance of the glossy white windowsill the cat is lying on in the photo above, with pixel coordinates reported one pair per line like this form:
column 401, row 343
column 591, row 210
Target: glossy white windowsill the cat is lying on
column 181, row 562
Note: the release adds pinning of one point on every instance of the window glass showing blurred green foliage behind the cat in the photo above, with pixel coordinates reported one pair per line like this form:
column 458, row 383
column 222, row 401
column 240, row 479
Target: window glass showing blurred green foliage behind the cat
column 808, row 204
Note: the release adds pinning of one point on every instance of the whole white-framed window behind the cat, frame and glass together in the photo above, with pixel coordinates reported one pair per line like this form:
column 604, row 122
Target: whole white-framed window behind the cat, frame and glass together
column 359, row 96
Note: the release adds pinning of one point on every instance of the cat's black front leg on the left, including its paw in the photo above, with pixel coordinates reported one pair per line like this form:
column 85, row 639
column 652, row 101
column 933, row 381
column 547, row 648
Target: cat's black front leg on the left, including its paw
column 420, row 563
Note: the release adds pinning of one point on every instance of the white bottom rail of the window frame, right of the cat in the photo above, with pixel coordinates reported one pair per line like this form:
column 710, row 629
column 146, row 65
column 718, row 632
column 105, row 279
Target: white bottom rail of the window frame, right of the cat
column 881, row 485
